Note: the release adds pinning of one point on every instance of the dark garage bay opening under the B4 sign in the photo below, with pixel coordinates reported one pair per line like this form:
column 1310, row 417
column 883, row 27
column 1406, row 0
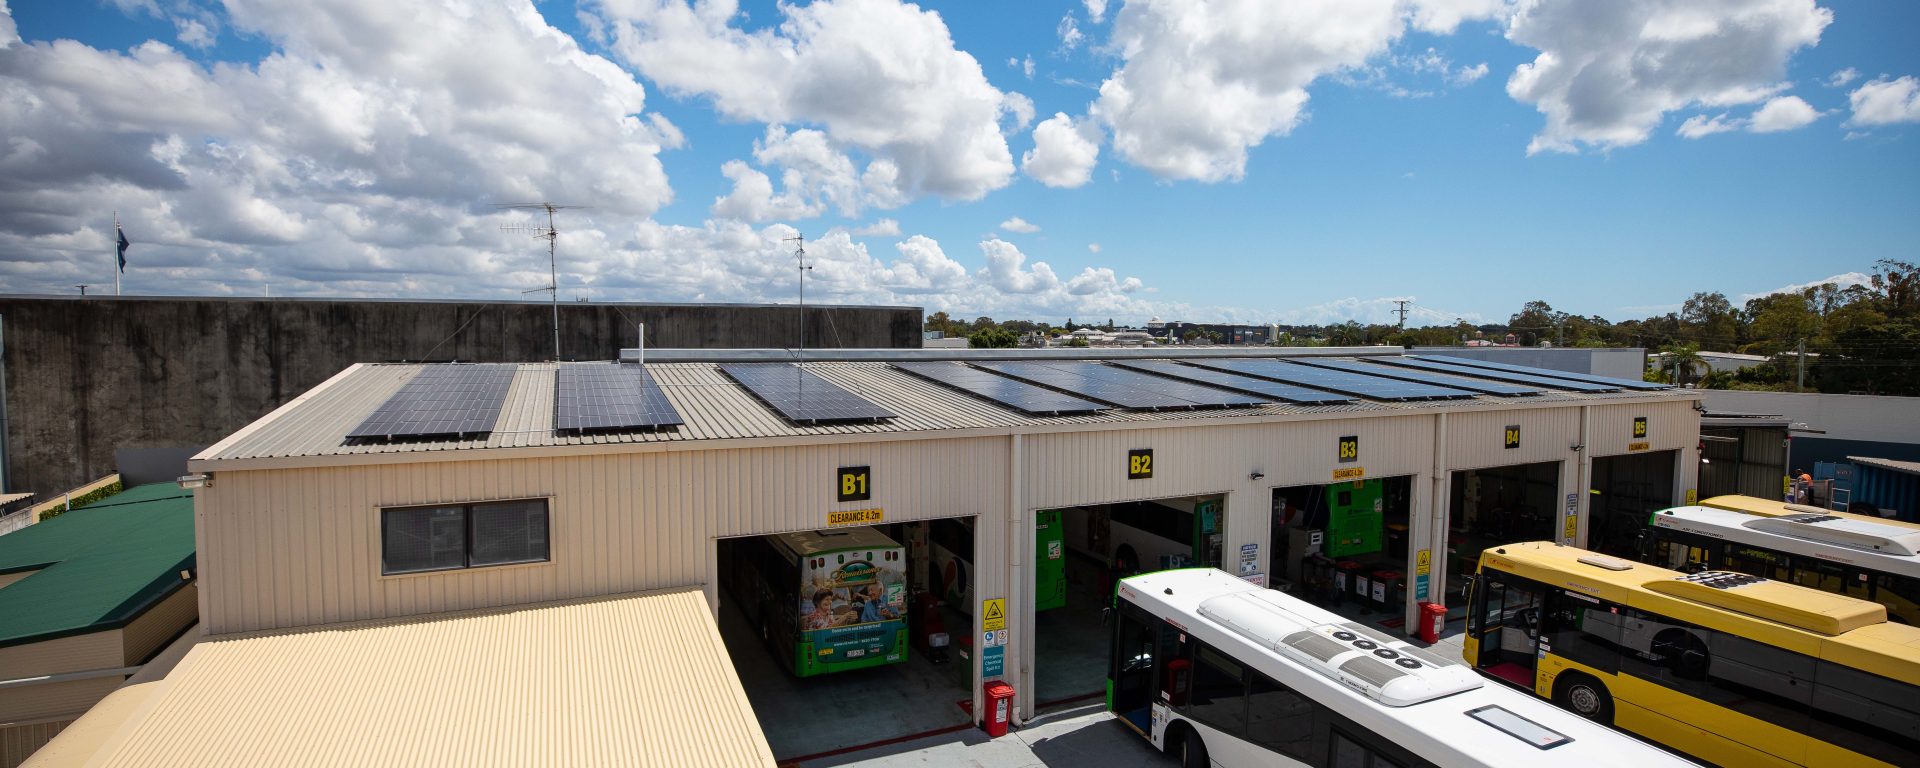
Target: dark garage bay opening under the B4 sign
column 1499, row 506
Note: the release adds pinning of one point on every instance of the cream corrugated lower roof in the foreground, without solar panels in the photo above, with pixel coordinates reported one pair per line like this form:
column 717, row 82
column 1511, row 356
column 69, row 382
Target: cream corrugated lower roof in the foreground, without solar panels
column 625, row 681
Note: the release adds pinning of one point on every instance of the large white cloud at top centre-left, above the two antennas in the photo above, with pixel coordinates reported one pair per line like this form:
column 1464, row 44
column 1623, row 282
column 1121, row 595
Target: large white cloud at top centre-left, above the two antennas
column 878, row 76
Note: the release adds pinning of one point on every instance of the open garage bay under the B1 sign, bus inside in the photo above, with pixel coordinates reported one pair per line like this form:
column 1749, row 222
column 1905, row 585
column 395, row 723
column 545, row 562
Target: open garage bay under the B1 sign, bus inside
column 821, row 619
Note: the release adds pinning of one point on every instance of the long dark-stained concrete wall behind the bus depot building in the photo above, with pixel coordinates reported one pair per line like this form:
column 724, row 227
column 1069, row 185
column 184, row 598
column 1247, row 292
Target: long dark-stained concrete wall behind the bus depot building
column 93, row 375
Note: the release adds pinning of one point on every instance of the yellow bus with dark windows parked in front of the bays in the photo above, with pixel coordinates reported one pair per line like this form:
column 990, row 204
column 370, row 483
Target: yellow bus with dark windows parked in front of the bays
column 1725, row 667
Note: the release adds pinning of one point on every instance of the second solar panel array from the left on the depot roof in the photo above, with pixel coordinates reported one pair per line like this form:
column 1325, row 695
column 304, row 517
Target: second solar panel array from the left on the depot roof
column 610, row 398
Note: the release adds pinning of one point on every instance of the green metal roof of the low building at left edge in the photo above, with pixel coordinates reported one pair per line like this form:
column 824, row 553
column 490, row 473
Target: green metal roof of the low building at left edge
column 97, row 567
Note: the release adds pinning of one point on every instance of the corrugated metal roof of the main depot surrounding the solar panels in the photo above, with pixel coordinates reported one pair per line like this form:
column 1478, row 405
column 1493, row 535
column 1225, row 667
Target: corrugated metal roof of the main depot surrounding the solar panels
column 715, row 408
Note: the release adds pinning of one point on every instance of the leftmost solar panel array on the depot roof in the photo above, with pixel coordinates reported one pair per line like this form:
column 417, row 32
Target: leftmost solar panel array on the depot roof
column 443, row 400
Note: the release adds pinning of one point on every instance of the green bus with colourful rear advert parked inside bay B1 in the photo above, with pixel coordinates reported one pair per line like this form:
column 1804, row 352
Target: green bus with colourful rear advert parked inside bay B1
column 825, row 602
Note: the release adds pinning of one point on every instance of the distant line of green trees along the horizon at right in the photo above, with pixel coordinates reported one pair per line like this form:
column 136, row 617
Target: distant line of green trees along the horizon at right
column 1856, row 339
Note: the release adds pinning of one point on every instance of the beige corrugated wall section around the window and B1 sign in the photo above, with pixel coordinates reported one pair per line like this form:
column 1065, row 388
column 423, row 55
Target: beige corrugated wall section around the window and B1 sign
column 295, row 548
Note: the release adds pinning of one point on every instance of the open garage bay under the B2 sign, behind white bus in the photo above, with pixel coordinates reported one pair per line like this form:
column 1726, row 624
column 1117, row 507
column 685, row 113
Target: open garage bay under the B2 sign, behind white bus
column 1082, row 554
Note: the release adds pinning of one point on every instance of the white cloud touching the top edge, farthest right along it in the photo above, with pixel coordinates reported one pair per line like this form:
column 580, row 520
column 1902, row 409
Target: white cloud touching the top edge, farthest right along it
column 1610, row 72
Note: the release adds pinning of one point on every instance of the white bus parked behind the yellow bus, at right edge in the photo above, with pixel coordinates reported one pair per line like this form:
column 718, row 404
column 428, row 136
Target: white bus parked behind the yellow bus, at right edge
column 1833, row 552
